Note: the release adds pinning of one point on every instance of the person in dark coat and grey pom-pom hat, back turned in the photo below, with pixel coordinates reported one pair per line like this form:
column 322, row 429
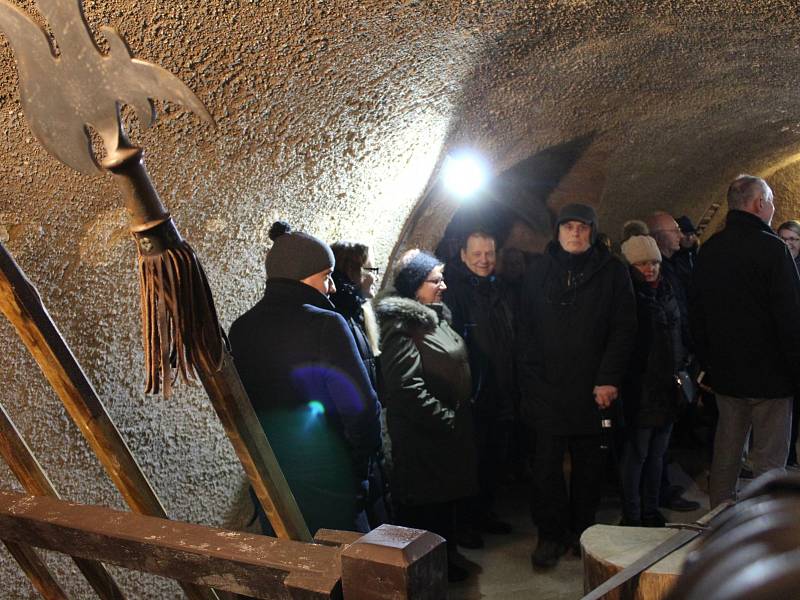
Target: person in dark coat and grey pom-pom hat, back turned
column 309, row 387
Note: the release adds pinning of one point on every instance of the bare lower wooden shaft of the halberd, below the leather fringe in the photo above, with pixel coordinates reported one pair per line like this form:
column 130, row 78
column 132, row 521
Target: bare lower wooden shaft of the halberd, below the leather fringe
column 235, row 412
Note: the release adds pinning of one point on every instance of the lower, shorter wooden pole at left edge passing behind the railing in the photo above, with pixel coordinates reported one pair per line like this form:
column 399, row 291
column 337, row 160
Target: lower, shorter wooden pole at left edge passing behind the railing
column 31, row 475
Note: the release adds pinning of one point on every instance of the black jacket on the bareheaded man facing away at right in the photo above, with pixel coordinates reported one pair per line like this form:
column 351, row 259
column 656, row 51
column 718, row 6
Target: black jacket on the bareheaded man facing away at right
column 745, row 311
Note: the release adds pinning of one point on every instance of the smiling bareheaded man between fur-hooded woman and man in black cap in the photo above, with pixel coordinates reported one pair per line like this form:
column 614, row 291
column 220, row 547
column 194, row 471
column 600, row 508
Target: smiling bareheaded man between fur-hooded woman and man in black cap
column 482, row 315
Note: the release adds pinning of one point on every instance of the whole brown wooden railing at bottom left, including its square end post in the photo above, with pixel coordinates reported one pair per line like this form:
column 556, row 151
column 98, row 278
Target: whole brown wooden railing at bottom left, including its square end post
column 389, row 562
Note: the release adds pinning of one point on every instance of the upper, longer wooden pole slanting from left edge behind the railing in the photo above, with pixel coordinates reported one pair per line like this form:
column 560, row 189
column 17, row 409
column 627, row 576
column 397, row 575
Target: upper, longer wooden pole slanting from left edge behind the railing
column 21, row 304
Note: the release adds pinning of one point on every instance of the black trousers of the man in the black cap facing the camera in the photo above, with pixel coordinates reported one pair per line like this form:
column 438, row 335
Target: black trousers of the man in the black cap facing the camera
column 561, row 513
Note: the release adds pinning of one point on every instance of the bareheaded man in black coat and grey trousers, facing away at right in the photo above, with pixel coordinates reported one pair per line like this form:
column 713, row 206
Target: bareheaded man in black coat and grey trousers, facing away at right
column 745, row 318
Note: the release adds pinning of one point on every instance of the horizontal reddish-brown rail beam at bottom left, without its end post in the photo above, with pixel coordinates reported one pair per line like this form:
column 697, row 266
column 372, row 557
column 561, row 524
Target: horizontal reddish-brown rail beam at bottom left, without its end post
column 254, row 565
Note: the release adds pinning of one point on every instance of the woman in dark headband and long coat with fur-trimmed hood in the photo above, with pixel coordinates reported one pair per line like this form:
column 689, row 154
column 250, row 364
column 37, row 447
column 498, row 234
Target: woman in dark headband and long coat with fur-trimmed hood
column 427, row 393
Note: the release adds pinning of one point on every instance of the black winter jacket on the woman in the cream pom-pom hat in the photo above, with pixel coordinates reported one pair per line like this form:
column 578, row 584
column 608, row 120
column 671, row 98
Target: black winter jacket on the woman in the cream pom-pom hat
column 650, row 394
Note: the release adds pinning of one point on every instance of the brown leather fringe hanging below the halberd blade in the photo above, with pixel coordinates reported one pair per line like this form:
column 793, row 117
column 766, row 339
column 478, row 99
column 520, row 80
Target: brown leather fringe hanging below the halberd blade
column 179, row 320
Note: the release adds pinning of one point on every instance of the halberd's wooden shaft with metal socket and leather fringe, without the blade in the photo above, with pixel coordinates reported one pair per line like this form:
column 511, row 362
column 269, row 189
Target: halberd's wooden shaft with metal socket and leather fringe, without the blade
column 180, row 321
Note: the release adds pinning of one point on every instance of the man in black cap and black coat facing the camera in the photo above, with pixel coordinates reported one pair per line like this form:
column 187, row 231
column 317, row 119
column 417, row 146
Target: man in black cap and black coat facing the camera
column 578, row 324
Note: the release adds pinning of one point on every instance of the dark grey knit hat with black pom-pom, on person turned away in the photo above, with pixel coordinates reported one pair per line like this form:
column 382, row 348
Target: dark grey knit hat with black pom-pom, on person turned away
column 296, row 255
